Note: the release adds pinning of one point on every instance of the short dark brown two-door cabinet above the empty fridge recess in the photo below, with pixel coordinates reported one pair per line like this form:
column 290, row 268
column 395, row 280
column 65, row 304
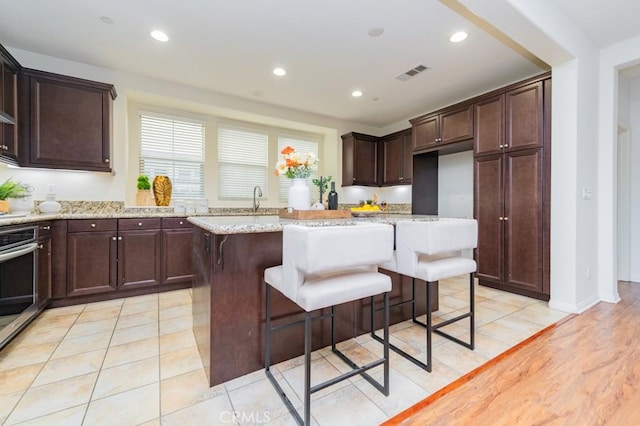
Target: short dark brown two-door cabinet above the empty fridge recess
column 432, row 131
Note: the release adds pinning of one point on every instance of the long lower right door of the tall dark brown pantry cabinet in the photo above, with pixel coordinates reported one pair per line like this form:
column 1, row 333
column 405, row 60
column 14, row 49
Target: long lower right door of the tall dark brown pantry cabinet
column 523, row 223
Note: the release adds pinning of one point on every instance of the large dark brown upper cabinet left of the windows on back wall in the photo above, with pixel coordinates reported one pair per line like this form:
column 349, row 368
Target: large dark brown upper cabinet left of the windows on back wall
column 66, row 122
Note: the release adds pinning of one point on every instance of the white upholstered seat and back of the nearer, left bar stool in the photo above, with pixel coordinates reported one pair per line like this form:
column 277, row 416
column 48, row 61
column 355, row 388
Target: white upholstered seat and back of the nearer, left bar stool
column 327, row 266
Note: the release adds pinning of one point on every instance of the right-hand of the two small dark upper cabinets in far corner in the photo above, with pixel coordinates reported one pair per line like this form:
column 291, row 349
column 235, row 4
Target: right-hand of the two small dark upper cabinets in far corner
column 397, row 158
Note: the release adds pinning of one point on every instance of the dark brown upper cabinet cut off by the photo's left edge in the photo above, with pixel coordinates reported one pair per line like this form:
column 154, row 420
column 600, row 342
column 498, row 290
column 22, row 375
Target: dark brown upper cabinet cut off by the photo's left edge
column 9, row 70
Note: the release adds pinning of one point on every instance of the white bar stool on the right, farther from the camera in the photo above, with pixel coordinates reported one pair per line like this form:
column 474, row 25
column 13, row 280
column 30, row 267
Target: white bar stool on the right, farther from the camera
column 431, row 251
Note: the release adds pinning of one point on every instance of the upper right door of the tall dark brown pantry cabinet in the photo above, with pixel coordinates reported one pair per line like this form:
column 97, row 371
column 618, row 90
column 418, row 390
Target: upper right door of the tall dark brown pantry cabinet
column 524, row 117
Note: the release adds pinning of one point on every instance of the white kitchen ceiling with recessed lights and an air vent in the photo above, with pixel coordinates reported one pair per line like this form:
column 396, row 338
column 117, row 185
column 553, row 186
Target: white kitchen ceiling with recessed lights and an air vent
column 231, row 47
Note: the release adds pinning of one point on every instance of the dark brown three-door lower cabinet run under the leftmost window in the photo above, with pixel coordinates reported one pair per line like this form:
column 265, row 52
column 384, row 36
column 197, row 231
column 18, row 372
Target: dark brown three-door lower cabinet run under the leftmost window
column 134, row 255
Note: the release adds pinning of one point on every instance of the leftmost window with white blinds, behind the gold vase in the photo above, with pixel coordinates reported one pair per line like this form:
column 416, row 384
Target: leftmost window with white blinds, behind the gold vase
column 173, row 147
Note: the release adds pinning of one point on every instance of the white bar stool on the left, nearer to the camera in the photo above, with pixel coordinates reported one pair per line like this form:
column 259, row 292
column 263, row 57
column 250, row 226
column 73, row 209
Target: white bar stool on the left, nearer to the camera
column 325, row 266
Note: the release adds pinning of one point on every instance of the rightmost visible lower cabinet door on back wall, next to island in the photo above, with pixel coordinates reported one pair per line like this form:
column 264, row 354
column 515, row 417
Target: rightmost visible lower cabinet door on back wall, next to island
column 177, row 255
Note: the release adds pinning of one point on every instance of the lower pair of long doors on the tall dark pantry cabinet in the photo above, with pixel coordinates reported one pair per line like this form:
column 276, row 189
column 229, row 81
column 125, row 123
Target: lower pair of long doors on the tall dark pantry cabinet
column 509, row 209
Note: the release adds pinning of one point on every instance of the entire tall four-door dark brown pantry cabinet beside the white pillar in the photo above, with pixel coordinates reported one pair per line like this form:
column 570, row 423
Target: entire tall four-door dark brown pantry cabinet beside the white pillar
column 511, row 181
